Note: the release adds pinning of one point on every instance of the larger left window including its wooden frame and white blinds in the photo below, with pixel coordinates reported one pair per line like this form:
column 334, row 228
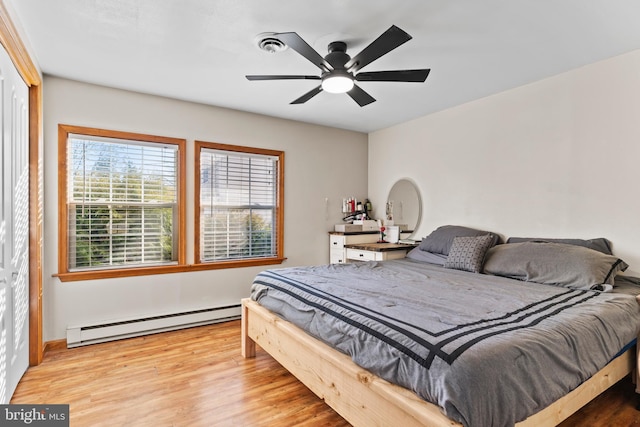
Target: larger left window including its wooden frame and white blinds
column 121, row 203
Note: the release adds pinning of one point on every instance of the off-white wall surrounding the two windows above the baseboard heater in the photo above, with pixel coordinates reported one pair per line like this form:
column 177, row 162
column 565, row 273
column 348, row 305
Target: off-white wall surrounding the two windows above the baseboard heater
column 322, row 165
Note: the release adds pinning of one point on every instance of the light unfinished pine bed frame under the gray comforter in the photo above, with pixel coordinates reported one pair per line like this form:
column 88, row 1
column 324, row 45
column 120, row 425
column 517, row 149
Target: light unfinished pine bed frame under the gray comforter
column 364, row 399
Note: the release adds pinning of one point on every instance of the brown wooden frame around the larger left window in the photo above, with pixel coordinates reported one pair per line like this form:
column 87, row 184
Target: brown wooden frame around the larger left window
column 63, row 239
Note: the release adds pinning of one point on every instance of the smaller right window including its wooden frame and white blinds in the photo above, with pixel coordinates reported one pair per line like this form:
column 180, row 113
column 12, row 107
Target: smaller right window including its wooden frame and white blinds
column 239, row 198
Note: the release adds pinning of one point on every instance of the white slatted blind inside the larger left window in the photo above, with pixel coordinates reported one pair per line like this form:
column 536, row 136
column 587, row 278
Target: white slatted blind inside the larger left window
column 122, row 201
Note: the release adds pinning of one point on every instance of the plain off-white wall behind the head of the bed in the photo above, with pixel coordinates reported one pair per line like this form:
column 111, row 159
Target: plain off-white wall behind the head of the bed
column 556, row 158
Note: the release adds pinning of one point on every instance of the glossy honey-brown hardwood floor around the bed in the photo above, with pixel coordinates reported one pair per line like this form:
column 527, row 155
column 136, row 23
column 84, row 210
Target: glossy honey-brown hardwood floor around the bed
column 196, row 377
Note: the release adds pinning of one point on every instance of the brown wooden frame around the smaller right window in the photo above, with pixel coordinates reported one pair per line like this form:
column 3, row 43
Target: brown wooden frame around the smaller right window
column 279, row 214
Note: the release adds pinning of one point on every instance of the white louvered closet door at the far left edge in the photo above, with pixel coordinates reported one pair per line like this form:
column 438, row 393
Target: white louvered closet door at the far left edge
column 14, row 228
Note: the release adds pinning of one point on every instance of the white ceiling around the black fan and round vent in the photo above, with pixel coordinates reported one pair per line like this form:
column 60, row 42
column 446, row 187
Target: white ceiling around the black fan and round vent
column 200, row 50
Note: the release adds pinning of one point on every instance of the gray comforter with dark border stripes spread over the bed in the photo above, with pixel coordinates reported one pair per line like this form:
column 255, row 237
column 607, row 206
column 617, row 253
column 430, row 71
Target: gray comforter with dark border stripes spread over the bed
column 489, row 351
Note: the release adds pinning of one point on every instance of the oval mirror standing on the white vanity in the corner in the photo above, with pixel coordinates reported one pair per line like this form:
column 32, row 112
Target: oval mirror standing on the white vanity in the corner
column 404, row 206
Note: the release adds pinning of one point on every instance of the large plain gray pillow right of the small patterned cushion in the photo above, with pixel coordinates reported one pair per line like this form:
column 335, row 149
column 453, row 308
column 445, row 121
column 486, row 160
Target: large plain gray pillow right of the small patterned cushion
column 553, row 263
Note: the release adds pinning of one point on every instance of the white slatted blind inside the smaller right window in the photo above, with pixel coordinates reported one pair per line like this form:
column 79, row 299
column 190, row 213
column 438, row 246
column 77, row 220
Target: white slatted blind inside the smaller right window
column 238, row 193
